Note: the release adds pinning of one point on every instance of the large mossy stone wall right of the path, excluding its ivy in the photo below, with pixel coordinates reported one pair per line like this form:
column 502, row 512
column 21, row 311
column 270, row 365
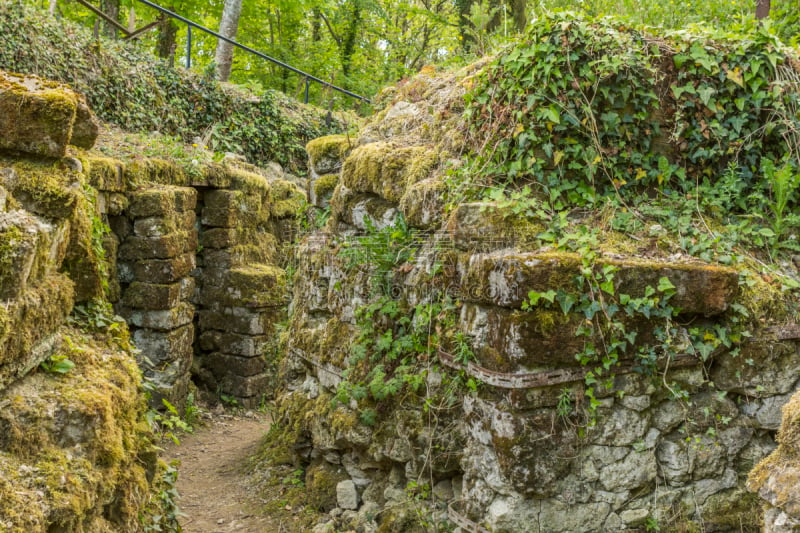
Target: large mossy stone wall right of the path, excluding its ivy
column 672, row 451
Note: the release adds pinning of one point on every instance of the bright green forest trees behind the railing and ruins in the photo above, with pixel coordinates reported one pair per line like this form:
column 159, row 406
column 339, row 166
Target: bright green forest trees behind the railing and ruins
column 364, row 45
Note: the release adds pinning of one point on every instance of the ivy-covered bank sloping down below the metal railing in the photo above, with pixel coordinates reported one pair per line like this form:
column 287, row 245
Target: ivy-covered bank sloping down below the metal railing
column 126, row 86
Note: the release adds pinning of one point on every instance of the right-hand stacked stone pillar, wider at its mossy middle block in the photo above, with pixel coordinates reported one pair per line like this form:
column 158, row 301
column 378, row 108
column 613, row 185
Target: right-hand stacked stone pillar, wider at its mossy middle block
column 242, row 292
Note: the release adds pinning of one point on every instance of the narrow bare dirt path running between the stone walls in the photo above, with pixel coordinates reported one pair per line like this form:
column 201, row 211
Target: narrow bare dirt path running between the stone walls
column 212, row 479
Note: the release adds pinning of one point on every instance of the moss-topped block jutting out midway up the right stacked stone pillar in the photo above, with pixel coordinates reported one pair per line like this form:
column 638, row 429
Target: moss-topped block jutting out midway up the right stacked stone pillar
column 255, row 285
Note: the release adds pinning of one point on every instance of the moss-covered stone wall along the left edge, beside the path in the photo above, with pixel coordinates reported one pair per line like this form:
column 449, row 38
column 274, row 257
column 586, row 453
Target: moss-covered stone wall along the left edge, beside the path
column 75, row 453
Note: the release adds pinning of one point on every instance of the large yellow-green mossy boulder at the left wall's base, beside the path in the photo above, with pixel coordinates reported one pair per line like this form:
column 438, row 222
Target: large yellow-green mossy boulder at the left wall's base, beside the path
column 75, row 452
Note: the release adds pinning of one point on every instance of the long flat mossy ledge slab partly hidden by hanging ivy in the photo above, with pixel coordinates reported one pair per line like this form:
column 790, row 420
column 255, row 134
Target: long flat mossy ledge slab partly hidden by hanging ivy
column 504, row 279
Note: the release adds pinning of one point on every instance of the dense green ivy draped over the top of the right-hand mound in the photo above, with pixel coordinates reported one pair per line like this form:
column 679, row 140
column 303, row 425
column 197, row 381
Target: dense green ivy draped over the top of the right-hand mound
column 596, row 109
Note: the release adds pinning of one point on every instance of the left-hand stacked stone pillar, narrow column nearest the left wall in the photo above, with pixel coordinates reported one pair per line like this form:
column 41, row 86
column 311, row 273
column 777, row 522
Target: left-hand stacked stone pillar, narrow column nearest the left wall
column 156, row 260
